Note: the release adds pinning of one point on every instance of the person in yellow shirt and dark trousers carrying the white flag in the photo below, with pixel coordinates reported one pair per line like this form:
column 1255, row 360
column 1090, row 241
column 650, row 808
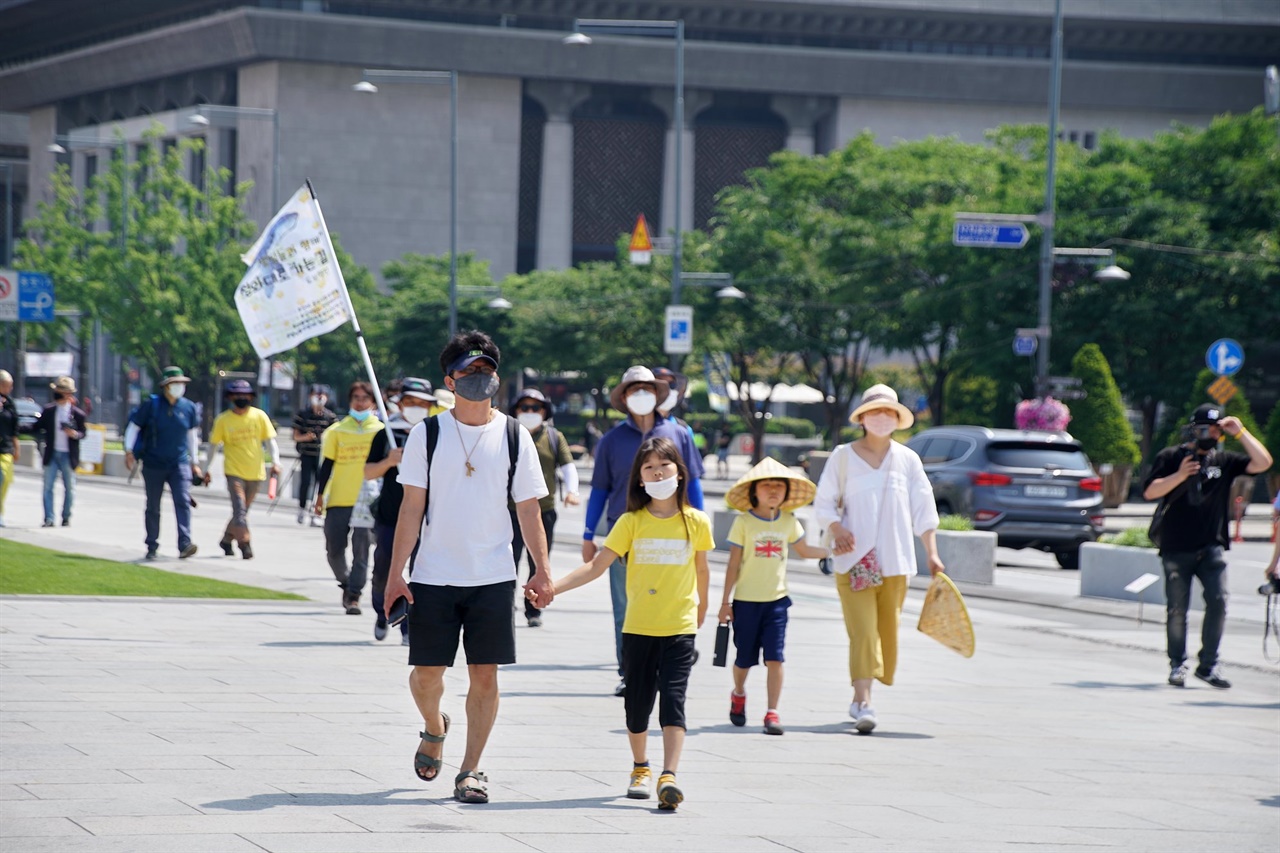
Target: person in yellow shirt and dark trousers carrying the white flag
column 344, row 451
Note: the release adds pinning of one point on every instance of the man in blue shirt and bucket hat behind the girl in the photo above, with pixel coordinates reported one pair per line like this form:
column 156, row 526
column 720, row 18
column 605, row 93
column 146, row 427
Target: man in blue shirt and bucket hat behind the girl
column 638, row 396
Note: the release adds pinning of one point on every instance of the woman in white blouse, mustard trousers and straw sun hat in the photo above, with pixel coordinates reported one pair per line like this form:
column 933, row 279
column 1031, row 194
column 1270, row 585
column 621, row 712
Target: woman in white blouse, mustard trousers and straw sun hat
column 872, row 498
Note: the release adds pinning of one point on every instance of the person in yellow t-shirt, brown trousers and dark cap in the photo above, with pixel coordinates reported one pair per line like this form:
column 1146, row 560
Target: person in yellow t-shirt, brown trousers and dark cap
column 244, row 432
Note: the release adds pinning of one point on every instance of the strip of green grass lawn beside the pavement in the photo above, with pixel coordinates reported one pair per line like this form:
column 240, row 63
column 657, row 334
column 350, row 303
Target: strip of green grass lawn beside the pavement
column 40, row 572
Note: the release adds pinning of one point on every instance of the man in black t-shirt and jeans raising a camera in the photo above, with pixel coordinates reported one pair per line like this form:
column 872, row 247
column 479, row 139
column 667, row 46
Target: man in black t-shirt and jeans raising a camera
column 1194, row 483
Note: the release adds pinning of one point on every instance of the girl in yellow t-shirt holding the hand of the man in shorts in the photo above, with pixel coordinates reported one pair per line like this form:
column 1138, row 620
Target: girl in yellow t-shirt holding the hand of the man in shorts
column 666, row 544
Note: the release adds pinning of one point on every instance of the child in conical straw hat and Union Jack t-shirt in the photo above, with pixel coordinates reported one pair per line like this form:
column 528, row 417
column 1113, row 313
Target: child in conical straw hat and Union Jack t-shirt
column 757, row 577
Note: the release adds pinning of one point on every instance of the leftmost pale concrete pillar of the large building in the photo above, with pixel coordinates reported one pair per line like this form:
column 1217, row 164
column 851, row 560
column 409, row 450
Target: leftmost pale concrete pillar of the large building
column 556, row 183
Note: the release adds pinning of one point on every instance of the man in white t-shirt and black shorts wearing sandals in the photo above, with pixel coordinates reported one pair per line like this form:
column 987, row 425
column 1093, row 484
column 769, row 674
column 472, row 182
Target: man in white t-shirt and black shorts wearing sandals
column 464, row 577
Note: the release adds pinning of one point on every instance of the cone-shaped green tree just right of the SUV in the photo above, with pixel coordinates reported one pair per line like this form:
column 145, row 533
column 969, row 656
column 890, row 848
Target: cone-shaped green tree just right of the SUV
column 1099, row 421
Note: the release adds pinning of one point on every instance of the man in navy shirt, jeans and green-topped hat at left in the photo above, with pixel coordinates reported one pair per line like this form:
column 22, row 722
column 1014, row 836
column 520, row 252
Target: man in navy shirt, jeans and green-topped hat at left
column 163, row 434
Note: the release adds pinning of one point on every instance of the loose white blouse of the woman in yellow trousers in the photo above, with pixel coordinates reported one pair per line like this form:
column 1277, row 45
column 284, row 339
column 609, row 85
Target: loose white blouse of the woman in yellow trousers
column 881, row 516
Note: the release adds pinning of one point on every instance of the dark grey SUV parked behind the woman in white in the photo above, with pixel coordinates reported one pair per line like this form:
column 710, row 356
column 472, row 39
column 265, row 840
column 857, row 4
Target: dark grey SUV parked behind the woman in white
column 1035, row 490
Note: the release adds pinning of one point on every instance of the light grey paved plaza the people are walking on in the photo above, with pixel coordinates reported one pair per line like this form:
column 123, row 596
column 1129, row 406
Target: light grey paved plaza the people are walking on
column 140, row 726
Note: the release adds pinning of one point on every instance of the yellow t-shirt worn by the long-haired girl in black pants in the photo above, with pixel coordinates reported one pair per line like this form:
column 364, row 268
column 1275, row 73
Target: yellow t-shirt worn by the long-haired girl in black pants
column 662, row 582
